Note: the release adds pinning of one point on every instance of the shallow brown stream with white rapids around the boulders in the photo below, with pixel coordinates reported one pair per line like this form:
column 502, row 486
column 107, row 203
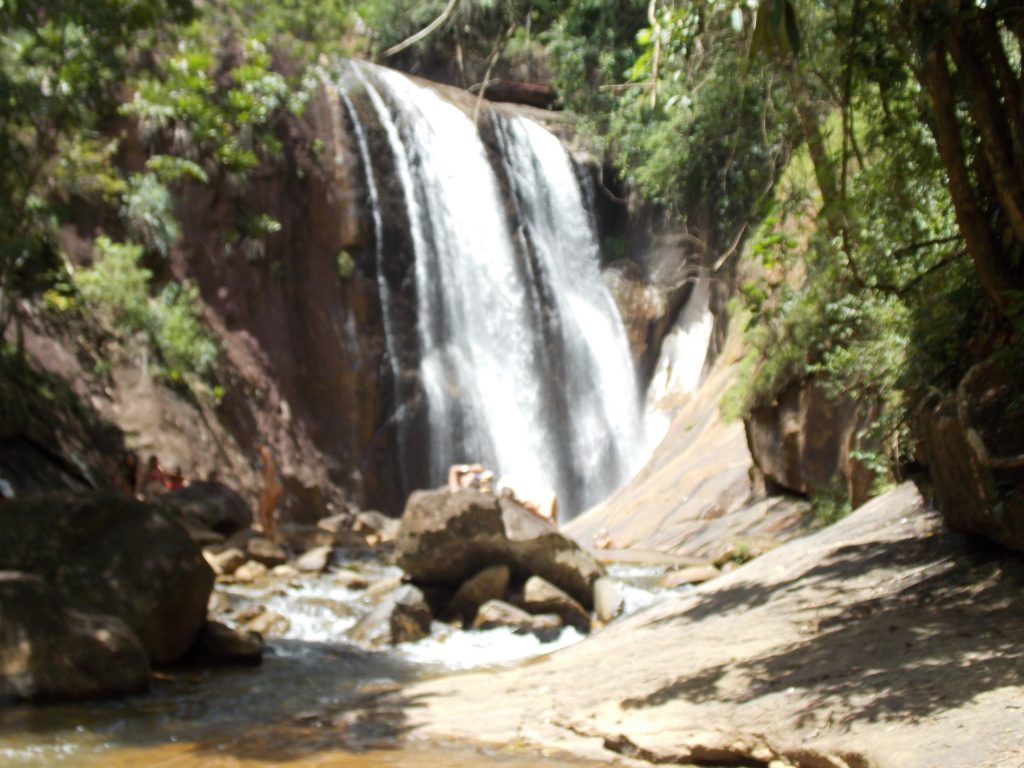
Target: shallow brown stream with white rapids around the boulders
column 318, row 700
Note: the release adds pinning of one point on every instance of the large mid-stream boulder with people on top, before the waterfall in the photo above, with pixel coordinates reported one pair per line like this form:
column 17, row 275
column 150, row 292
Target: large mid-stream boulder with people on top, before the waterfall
column 448, row 537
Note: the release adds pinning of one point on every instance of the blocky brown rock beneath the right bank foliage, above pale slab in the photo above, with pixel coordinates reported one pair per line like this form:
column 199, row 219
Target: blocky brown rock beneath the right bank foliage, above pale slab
column 804, row 441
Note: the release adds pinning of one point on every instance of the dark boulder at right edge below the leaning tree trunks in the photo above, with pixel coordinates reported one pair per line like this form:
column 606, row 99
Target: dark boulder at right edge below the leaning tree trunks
column 973, row 443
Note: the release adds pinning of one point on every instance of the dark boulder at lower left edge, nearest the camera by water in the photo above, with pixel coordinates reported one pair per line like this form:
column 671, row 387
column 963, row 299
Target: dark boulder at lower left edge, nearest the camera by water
column 55, row 650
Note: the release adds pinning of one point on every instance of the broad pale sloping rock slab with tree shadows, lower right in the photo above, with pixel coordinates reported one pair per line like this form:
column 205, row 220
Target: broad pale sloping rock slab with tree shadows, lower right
column 881, row 642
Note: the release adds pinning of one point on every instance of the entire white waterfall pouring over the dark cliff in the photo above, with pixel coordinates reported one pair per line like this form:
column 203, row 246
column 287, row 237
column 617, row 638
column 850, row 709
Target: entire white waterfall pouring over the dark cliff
column 523, row 358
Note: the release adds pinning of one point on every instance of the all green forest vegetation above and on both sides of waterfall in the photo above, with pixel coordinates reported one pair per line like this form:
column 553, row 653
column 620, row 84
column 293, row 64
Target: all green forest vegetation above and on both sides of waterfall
column 869, row 153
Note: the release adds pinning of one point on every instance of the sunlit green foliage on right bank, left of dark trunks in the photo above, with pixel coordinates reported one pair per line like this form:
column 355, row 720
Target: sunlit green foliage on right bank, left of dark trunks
column 869, row 288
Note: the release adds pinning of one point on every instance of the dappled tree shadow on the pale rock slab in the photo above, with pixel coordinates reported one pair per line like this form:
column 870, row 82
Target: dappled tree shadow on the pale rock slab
column 942, row 631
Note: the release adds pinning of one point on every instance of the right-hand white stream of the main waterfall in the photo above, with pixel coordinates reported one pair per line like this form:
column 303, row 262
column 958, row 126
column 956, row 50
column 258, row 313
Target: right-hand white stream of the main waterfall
column 601, row 383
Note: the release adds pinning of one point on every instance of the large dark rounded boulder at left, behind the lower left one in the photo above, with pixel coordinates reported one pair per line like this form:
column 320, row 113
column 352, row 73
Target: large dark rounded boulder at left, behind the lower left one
column 116, row 556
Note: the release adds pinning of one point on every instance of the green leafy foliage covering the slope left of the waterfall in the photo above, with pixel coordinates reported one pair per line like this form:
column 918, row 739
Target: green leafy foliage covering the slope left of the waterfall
column 207, row 98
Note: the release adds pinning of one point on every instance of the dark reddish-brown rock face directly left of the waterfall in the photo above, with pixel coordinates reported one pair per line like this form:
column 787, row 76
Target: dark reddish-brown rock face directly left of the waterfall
column 300, row 319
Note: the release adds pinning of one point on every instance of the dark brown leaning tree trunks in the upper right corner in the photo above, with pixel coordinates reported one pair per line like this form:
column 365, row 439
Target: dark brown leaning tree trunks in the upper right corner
column 963, row 60
